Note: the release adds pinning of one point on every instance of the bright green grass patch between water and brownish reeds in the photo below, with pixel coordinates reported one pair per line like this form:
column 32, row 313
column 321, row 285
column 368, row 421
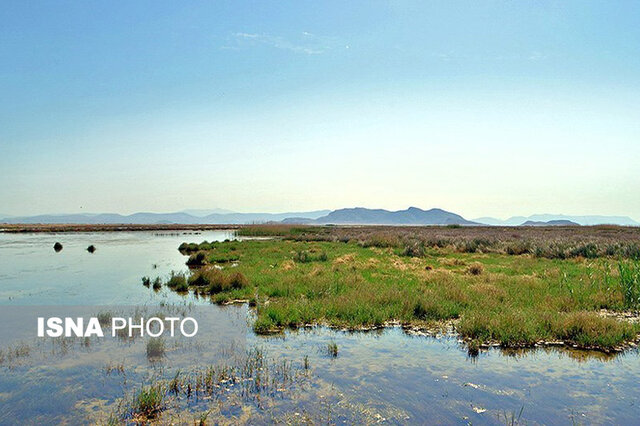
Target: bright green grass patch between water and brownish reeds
column 514, row 300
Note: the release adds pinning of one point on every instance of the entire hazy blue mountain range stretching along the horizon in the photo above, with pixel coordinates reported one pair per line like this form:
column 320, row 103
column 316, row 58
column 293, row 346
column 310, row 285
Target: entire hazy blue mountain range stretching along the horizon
column 352, row 216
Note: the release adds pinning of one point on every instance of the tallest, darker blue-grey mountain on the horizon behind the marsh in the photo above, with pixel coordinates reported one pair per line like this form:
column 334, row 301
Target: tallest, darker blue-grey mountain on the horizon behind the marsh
column 410, row 216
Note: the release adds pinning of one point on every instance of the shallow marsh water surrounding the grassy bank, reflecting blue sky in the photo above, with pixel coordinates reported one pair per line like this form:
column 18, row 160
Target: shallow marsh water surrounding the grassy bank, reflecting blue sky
column 377, row 376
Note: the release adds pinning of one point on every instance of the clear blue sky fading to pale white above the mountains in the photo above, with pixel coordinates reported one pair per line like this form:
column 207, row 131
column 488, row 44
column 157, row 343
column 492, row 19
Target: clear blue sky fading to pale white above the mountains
column 484, row 108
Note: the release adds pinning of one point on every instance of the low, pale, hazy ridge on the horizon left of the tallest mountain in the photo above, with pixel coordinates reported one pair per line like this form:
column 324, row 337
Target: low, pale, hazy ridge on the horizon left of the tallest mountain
column 166, row 218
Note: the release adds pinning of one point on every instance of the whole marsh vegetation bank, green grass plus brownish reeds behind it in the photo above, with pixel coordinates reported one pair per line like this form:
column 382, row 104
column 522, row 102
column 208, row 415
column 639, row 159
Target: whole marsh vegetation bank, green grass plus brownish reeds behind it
column 571, row 286
